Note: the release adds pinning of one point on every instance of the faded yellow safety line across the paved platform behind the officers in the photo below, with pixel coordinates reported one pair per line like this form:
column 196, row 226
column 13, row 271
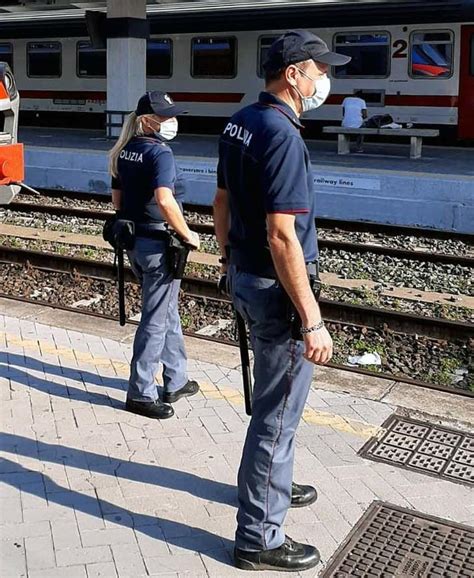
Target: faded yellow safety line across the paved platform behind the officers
column 209, row 390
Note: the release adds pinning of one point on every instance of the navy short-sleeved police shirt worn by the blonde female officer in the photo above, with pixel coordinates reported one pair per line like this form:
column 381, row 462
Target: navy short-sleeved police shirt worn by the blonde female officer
column 145, row 164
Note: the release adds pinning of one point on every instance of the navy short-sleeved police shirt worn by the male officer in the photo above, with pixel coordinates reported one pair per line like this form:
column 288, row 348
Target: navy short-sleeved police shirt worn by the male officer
column 265, row 167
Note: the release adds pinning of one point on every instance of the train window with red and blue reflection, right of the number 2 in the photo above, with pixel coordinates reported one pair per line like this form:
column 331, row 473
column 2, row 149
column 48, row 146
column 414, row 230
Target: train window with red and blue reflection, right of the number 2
column 431, row 54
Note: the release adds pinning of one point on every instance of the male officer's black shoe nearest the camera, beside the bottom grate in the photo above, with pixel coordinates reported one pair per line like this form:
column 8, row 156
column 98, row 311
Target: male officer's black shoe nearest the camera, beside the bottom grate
column 291, row 556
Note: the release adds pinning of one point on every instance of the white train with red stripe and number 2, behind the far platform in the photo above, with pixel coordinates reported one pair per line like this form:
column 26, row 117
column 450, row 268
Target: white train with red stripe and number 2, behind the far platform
column 417, row 65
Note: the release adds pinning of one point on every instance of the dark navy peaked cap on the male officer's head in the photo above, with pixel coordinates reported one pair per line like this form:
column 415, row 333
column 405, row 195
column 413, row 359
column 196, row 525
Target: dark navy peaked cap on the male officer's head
column 297, row 46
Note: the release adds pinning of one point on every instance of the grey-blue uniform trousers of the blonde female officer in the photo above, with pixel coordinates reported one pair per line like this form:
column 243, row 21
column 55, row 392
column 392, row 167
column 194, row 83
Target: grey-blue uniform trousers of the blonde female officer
column 159, row 337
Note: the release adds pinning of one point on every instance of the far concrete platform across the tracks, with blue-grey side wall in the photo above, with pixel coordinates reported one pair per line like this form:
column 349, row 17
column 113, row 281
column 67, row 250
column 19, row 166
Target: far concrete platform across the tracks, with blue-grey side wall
column 381, row 185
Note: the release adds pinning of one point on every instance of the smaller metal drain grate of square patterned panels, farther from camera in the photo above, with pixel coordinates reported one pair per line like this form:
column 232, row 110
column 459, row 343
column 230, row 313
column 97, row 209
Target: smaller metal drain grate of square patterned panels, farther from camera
column 425, row 448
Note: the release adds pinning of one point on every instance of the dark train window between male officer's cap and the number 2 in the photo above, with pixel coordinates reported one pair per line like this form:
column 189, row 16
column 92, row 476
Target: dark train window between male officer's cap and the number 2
column 370, row 53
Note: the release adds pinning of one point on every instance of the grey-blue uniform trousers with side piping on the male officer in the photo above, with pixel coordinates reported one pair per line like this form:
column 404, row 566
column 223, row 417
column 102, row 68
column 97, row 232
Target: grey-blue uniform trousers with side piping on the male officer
column 282, row 378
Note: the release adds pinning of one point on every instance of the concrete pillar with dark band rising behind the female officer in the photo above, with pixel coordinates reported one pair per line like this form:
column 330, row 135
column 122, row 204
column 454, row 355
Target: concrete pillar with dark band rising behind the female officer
column 126, row 59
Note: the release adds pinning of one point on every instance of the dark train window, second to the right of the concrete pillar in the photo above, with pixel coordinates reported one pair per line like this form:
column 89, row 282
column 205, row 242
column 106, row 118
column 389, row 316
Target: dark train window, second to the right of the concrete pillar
column 214, row 57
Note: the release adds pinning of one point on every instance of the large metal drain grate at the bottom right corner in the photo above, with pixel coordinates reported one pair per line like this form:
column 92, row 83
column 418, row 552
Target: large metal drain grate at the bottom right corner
column 389, row 541
